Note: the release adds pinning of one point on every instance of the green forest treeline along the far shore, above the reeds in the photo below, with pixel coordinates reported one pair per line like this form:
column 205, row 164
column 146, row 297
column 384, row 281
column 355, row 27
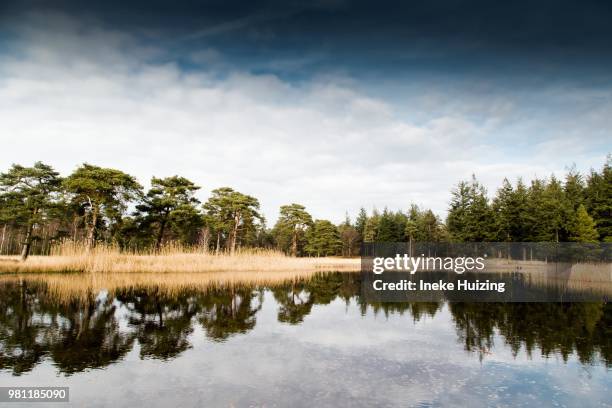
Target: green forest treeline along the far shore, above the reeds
column 39, row 208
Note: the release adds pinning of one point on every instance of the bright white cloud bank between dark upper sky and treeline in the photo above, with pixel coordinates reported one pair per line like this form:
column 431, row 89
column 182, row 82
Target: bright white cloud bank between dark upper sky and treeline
column 77, row 93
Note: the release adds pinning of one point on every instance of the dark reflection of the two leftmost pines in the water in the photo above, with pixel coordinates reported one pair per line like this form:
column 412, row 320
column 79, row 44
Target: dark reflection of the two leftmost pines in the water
column 76, row 334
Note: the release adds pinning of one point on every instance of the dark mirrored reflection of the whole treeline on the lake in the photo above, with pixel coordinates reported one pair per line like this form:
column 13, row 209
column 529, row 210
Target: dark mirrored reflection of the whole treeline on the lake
column 98, row 328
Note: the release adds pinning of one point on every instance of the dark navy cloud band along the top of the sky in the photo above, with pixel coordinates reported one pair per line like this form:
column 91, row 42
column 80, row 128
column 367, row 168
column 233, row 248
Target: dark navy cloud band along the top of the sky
column 455, row 37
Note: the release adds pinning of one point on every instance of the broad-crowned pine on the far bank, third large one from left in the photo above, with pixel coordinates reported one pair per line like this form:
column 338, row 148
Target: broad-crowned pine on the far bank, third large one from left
column 169, row 200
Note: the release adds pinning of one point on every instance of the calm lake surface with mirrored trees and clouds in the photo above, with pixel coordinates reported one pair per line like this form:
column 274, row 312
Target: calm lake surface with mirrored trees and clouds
column 314, row 343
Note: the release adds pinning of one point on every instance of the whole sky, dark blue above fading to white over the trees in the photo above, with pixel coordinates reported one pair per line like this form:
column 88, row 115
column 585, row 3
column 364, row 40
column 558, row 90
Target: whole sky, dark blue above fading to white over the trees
column 333, row 104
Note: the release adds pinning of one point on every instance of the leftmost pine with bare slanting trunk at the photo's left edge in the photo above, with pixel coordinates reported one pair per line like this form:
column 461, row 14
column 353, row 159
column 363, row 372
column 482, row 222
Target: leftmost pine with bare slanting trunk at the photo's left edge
column 29, row 193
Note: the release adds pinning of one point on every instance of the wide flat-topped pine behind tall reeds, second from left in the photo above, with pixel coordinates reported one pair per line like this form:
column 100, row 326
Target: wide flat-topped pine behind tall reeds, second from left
column 102, row 192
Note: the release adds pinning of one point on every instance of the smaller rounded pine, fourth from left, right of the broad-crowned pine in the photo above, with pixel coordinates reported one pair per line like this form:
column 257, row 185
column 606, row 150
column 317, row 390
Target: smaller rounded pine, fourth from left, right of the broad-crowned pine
column 232, row 212
